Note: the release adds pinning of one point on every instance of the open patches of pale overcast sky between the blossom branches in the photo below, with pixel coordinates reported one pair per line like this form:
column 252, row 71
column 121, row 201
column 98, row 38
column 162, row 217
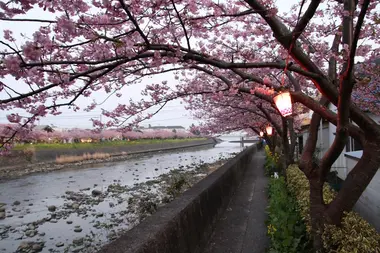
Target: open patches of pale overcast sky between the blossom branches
column 174, row 112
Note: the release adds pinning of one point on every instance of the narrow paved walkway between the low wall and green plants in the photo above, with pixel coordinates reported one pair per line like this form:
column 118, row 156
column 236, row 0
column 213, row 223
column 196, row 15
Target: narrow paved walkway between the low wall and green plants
column 241, row 228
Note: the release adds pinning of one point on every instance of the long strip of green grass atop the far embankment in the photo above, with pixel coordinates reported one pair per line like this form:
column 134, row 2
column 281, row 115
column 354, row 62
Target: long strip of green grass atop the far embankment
column 39, row 146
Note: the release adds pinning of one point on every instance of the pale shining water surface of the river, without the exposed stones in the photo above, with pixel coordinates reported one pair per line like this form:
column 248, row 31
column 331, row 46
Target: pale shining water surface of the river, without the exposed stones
column 27, row 199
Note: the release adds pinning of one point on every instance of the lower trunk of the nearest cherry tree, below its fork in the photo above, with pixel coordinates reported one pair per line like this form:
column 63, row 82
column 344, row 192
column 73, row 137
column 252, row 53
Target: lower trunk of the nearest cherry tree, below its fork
column 317, row 209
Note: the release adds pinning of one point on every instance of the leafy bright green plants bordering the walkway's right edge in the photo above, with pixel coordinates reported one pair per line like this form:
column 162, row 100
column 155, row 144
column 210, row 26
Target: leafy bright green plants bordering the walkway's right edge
column 286, row 229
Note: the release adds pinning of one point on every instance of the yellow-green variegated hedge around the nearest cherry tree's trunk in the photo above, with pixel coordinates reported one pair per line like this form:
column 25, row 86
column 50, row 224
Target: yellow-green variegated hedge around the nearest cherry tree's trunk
column 354, row 235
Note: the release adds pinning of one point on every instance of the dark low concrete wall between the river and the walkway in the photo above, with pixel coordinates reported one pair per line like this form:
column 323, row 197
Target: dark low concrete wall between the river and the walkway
column 185, row 224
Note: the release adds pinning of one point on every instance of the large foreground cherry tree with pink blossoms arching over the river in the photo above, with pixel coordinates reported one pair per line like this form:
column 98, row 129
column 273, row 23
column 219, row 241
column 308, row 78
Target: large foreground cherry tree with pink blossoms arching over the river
column 212, row 48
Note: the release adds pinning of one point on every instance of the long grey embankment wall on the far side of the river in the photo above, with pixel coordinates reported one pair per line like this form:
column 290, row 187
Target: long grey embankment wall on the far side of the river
column 49, row 155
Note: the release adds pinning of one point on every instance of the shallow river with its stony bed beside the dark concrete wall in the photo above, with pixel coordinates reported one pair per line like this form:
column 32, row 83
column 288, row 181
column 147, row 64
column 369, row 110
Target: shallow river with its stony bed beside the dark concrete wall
column 79, row 210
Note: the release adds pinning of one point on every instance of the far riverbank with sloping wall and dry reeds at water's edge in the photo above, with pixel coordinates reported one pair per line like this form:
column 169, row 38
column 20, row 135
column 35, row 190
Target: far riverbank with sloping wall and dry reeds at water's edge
column 12, row 168
